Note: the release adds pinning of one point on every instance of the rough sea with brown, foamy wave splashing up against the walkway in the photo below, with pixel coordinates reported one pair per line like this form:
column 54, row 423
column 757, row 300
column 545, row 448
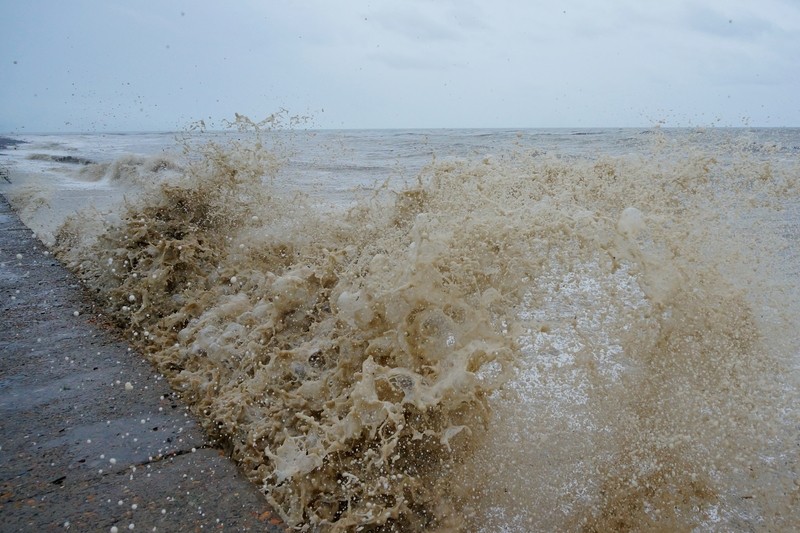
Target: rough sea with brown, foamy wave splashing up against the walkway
column 458, row 330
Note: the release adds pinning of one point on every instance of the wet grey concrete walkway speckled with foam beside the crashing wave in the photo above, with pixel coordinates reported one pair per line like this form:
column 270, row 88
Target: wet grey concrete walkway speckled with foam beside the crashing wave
column 91, row 438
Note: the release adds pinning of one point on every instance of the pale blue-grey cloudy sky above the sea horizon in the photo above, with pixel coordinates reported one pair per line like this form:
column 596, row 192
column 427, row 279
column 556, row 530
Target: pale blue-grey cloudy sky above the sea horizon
column 136, row 65
